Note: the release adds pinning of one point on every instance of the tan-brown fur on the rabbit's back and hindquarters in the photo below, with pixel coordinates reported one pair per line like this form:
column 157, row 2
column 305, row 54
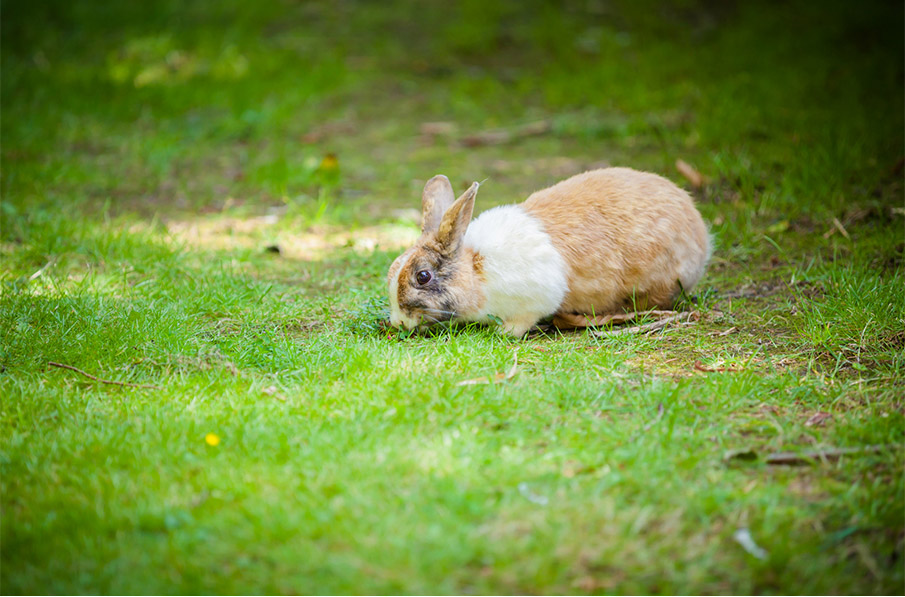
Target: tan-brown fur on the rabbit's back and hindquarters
column 627, row 237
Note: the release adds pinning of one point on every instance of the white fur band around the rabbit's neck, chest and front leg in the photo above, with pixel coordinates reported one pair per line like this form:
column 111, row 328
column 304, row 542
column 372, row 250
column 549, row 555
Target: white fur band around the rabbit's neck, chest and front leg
column 525, row 276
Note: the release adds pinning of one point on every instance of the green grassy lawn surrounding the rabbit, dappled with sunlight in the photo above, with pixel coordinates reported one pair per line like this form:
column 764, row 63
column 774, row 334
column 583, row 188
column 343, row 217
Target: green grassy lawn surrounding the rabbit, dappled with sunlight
column 205, row 197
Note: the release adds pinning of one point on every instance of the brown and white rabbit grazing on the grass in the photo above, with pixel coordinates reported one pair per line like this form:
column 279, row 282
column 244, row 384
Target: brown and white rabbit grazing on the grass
column 600, row 242
